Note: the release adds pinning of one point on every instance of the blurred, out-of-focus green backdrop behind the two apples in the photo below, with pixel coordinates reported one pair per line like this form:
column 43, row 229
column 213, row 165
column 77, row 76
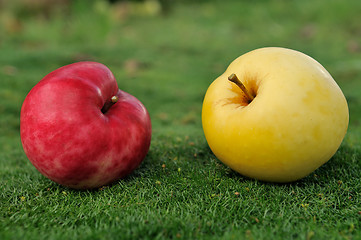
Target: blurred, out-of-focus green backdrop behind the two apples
column 168, row 52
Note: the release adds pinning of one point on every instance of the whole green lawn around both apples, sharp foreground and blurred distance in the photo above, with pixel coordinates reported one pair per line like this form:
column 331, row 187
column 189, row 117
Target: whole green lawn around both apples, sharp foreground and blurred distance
column 181, row 191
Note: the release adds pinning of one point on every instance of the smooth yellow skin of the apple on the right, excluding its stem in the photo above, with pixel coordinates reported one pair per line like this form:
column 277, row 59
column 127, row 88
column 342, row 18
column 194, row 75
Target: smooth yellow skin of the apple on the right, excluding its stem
column 295, row 123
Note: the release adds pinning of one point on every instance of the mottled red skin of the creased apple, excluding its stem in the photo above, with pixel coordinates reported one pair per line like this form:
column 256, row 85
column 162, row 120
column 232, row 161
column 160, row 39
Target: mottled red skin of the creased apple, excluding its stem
column 68, row 138
